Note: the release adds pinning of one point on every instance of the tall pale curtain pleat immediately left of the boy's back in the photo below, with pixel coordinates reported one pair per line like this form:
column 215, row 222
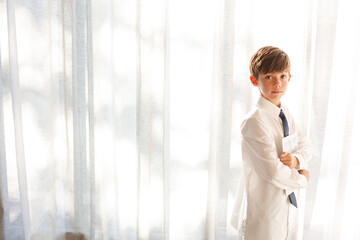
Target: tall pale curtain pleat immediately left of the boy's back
column 217, row 219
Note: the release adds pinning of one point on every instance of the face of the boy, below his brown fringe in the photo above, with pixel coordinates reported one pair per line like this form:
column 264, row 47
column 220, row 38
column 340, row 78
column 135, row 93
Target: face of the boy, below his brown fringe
column 272, row 86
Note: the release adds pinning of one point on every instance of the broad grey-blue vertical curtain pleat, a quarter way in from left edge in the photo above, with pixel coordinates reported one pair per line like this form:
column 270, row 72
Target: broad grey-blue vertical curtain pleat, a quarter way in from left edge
column 81, row 175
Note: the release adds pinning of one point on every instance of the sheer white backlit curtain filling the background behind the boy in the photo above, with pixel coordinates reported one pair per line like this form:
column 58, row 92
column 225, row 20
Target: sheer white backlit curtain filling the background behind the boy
column 120, row 119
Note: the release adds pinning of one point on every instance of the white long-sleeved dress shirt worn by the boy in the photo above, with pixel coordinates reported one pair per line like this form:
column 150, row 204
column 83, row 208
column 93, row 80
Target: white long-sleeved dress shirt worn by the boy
column 267, row 179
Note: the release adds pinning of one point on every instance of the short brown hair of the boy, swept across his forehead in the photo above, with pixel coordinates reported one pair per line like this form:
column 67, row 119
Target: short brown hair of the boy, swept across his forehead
column 267, row 60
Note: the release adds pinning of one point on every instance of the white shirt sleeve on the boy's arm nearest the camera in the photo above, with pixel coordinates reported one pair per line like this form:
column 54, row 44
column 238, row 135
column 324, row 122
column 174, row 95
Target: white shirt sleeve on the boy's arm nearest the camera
column 258, row 147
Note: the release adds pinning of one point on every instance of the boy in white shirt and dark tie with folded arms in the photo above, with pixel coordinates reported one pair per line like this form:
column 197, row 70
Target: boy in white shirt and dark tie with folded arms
column 272, row 175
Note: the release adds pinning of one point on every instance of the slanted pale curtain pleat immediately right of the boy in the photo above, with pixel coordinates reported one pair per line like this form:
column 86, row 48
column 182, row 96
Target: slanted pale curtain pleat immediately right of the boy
column 323, row 59
